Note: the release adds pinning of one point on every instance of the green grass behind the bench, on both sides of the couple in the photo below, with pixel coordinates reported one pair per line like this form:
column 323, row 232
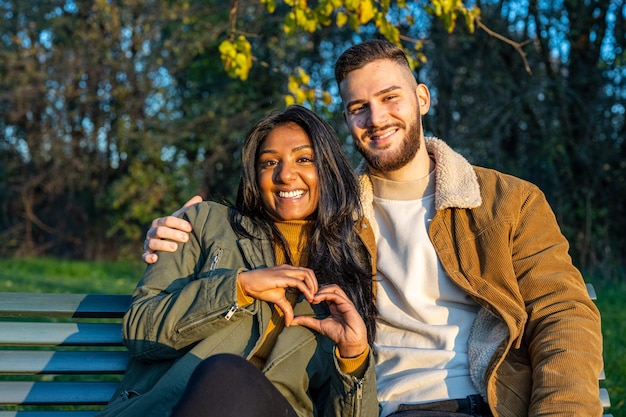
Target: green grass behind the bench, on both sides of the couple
column 51, row 275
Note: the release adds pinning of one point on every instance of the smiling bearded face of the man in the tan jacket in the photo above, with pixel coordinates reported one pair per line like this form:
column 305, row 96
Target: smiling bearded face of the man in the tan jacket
column 383, row 112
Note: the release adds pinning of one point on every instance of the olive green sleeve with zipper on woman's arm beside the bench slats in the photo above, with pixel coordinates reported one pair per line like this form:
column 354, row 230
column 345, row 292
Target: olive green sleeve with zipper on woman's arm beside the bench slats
column 186, row 294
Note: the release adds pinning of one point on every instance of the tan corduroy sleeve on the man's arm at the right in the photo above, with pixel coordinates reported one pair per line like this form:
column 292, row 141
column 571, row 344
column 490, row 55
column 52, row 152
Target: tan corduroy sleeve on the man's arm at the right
column 562, row 333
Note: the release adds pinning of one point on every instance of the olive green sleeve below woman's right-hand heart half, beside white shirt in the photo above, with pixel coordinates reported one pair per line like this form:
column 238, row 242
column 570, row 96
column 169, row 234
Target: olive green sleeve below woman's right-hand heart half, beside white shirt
column 351, row 396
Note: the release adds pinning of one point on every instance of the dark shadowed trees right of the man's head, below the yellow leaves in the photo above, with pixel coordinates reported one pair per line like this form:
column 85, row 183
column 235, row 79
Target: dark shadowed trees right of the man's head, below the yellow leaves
column 552, row 127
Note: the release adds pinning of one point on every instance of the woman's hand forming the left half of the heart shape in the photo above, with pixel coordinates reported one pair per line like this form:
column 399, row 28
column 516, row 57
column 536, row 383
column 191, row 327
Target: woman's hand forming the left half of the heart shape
column 270, row 284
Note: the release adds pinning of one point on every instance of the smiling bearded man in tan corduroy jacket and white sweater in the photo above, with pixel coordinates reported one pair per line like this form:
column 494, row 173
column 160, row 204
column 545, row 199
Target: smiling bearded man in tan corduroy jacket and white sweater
column 481, row 311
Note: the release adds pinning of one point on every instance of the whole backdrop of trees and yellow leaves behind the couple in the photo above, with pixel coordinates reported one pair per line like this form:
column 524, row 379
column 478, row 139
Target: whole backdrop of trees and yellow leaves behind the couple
column 113, row 114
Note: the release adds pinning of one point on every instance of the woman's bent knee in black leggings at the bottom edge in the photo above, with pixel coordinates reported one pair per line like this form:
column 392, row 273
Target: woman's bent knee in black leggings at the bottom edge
column 227, row 385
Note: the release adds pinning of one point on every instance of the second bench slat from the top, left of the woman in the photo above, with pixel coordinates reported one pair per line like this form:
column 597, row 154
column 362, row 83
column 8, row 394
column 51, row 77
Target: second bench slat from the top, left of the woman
column 60, row 334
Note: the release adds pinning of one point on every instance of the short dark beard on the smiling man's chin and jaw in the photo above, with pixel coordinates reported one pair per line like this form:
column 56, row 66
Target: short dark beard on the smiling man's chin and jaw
column 388, row 161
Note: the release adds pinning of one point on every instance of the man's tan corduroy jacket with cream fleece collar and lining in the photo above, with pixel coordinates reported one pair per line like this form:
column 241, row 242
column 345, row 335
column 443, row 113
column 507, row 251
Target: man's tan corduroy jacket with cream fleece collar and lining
column 536, row 347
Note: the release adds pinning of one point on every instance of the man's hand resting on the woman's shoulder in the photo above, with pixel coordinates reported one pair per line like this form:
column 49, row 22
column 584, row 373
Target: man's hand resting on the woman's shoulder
column 166, row 231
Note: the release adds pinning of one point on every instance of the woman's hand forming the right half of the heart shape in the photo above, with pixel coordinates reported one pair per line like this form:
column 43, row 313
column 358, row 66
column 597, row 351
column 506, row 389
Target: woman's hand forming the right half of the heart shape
column 344, row 326
